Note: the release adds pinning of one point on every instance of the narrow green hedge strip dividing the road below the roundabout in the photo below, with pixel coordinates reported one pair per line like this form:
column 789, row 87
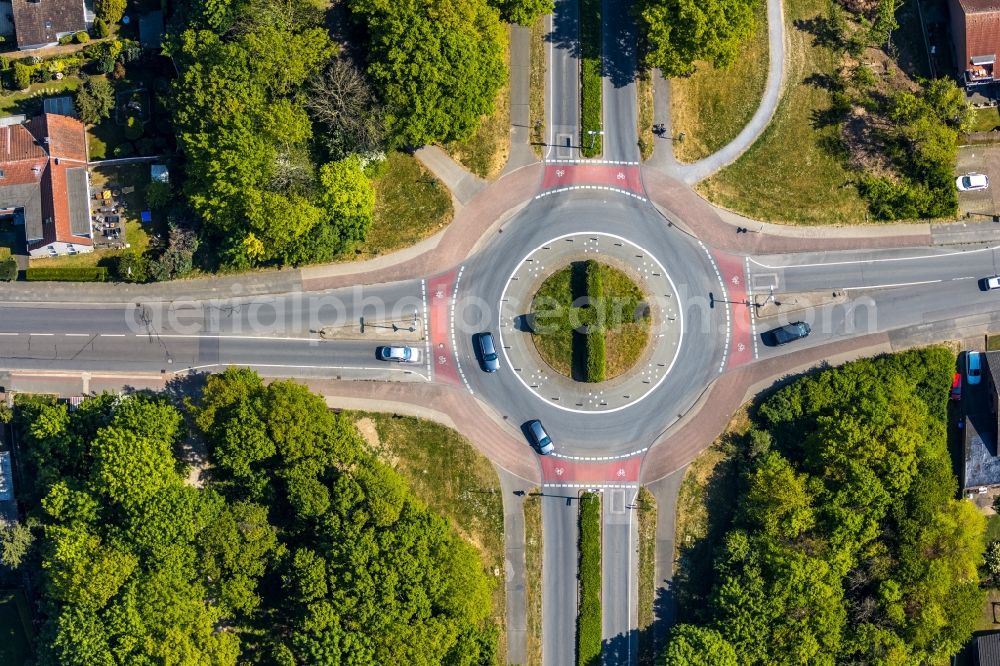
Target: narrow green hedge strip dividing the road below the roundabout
column 588, row 623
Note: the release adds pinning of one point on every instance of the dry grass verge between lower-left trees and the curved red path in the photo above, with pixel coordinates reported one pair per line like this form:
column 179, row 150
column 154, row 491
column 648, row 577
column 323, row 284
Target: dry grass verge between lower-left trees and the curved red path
column 454, row 479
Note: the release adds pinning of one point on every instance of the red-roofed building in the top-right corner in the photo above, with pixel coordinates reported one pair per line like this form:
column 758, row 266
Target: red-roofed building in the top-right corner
column 975, row 30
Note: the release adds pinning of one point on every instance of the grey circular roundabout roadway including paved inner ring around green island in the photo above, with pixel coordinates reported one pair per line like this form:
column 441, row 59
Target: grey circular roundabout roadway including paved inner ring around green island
column 692, row 350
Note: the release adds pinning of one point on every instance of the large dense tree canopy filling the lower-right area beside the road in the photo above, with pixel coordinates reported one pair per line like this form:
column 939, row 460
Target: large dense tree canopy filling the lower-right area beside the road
column 847, row 545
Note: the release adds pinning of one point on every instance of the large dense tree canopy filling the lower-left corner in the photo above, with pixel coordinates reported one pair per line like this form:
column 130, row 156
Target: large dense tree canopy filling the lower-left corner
column 300, row 549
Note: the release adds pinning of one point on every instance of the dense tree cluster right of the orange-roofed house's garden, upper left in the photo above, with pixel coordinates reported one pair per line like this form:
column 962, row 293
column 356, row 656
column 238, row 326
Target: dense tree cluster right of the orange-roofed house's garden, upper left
column 242, row 124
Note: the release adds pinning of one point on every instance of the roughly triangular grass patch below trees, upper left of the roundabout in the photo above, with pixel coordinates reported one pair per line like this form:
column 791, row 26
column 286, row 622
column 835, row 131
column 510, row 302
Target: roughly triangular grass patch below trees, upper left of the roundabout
column 410, row 205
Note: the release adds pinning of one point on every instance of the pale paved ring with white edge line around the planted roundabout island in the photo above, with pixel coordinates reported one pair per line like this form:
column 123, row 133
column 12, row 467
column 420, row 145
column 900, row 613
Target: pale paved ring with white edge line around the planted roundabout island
column 539, row 377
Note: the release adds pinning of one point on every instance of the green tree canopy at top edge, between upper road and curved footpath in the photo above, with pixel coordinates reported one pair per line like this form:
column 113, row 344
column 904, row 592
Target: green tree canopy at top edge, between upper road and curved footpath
column 678, row 32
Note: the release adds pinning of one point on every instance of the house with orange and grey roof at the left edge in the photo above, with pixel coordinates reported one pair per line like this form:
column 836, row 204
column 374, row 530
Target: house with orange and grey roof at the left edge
column 44, row 183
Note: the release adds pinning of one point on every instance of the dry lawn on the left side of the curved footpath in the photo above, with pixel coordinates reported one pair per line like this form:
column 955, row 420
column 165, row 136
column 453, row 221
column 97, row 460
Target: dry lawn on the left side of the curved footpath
column 712, row 106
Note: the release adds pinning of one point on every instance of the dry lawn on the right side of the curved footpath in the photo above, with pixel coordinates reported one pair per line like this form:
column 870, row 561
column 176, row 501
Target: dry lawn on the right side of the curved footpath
column 788, row 175
